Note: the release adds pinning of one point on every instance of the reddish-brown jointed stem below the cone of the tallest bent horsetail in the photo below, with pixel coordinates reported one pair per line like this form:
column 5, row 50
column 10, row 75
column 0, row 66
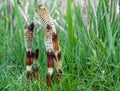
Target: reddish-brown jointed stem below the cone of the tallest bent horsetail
column 57, row 55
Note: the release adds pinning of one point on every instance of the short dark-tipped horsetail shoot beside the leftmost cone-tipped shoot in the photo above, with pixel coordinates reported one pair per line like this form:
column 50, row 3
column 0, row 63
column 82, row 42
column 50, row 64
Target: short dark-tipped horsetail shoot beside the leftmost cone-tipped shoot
column 35, row 65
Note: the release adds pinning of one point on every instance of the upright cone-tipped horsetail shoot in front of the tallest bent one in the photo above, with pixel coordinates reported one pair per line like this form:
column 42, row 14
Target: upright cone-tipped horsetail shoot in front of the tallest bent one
column 50, row 54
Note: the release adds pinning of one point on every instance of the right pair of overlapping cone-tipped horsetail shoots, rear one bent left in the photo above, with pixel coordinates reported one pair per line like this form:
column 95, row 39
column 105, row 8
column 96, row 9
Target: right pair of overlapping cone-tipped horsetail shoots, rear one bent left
column 52, row 45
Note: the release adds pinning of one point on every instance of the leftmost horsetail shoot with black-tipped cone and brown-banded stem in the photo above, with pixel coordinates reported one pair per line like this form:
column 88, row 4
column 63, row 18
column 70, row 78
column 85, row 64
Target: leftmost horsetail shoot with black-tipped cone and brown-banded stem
column 28, row 37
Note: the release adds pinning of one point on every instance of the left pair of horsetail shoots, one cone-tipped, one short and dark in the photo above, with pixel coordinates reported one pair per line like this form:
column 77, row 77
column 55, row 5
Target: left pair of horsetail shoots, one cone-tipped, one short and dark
column 31, row 57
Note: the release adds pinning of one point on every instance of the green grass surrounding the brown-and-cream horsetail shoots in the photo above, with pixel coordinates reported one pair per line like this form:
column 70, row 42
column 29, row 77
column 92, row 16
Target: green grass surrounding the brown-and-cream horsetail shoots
column 90, row 53
